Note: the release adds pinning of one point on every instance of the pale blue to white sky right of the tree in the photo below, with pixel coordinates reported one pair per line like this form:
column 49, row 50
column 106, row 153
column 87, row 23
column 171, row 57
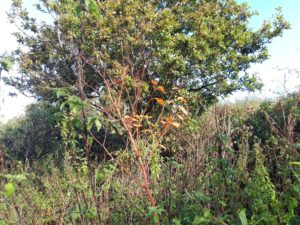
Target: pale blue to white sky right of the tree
column 284, row 51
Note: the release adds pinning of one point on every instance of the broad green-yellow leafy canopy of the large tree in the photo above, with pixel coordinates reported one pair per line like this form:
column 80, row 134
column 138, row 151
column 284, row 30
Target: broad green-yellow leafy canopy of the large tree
column 202, row 47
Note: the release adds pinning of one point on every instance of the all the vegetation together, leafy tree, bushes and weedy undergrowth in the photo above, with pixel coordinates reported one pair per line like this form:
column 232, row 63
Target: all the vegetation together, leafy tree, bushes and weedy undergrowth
column 128, row 131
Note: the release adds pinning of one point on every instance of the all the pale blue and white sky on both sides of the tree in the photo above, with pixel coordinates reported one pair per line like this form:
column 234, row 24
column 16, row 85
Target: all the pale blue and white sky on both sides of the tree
column 284, row 54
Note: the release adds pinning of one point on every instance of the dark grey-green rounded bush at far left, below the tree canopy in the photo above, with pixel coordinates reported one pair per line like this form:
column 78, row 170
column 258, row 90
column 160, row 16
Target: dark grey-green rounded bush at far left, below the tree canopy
column 33, row 136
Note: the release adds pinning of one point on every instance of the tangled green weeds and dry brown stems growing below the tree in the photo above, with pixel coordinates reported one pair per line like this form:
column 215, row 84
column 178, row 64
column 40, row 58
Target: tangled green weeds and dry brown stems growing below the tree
column 232, row 165
